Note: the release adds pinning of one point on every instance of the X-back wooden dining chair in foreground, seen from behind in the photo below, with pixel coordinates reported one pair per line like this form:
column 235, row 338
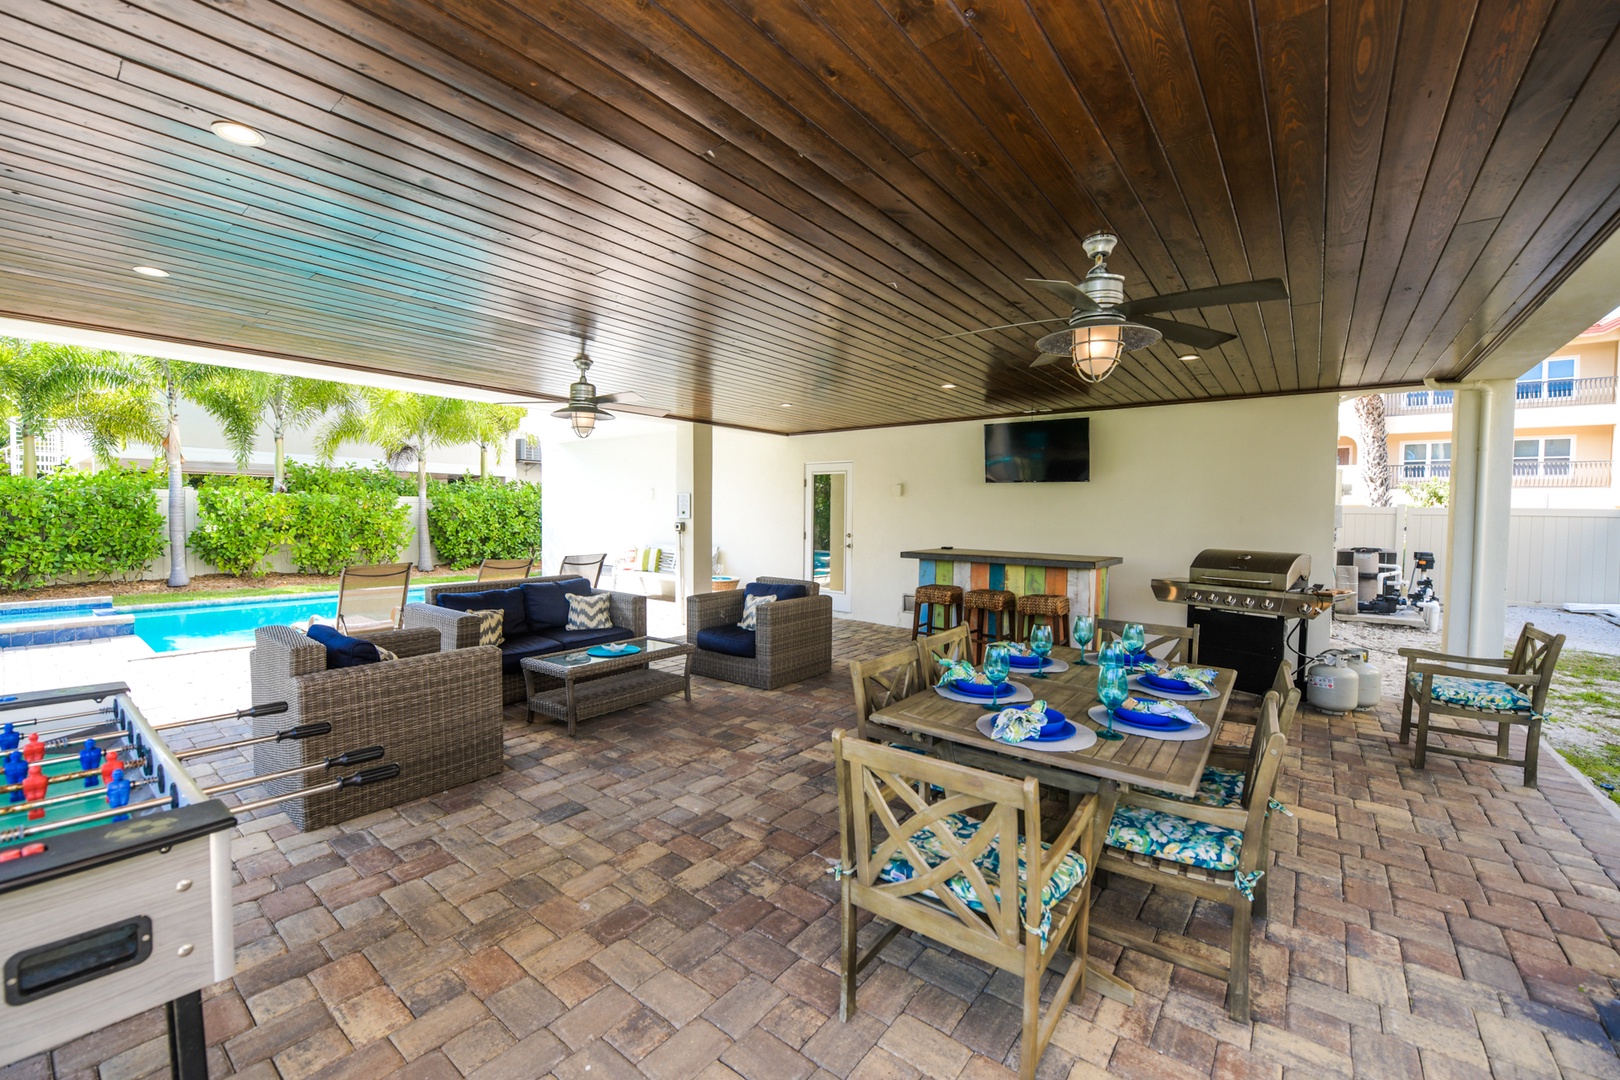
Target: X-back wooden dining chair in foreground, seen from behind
column 932, row 867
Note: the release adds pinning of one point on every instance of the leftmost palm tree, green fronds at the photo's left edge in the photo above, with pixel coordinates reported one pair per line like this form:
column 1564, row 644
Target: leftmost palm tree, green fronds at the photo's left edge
column 90, row 391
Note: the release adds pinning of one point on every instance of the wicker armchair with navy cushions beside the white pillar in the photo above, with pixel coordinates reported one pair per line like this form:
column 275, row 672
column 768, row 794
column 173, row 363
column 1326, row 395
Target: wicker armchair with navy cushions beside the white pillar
column 793, row 642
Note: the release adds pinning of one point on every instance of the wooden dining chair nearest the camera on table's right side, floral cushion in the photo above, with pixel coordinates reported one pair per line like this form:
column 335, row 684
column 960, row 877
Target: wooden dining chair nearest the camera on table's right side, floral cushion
column 1211, row 853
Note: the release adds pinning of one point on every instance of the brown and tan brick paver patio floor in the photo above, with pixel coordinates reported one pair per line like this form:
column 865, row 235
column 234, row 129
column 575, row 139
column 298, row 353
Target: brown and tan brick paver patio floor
column 652, row 899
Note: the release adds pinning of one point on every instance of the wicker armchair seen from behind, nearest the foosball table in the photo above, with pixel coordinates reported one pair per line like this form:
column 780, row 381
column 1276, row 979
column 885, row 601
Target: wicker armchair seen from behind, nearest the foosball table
column 437, row 715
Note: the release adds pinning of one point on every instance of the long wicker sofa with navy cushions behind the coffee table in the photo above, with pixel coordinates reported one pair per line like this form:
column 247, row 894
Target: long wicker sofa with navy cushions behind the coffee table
column 459, row 631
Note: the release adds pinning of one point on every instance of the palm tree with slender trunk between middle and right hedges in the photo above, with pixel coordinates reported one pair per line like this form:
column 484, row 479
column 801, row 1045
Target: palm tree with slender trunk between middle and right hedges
column 406, row 427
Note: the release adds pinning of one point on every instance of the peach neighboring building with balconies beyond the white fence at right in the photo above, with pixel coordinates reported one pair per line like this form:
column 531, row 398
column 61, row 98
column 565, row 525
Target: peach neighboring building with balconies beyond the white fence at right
column 1564, row 432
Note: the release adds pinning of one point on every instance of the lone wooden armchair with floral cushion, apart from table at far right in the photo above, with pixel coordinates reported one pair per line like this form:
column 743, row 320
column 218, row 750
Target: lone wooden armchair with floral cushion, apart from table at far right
column 1443, row 684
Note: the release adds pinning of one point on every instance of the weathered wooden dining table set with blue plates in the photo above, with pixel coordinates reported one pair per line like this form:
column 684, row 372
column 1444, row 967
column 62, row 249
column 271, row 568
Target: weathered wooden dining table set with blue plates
column 1102, row 770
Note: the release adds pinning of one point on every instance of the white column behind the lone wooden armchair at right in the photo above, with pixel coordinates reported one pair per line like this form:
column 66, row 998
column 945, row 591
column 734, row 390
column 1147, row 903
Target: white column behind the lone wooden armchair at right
column 1480, row 519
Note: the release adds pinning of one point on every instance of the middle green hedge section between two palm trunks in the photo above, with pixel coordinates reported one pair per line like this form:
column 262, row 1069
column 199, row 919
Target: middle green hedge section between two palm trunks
column 326, row 525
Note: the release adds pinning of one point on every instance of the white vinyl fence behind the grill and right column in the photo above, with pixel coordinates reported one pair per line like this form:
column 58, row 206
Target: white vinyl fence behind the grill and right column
column 1554, row 556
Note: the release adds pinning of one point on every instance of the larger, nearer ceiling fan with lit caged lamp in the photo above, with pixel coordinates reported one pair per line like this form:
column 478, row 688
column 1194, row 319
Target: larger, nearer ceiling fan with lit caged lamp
column 1106, row 325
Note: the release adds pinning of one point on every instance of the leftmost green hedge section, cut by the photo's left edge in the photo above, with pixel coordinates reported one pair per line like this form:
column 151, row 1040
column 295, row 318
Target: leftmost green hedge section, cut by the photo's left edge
column 79, row 524
